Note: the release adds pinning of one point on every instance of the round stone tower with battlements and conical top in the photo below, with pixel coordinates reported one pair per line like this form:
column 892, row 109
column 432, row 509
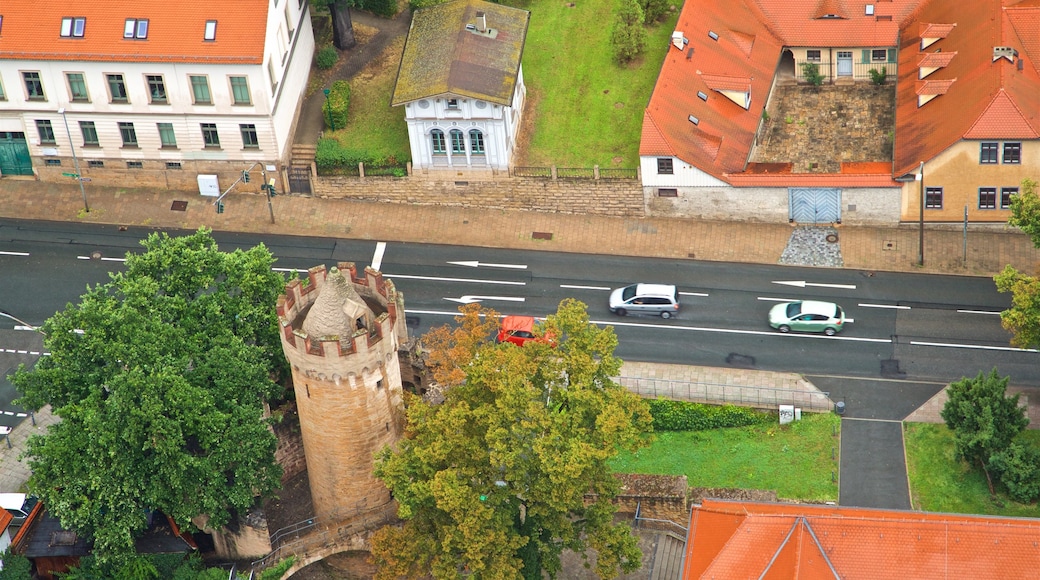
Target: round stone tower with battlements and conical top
column 341, row 334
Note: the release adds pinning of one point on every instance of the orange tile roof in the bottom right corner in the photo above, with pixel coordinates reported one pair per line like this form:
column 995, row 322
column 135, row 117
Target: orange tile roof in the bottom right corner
column 747, row 540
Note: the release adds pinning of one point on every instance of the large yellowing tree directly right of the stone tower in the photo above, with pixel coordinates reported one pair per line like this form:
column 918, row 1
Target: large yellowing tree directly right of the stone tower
column 512, row 468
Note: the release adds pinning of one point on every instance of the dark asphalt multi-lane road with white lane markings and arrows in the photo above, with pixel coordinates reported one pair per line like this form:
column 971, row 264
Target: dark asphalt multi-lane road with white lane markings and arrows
column 905, row 327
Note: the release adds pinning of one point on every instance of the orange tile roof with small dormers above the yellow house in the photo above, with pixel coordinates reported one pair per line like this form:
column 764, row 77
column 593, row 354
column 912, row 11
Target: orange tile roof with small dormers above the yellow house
column 978, row 98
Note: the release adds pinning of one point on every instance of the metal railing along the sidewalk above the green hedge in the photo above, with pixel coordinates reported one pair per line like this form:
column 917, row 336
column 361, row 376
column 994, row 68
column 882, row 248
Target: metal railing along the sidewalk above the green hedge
column 761, row 398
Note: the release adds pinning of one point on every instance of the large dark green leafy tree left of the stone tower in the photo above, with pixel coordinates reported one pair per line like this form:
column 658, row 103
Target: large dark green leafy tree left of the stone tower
column 161, row 378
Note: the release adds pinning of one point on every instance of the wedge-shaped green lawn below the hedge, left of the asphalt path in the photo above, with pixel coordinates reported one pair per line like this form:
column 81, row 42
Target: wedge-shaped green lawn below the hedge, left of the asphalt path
column 795, row 460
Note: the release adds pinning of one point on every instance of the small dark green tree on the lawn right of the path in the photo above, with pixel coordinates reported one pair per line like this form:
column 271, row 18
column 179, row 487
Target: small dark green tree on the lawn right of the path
column 984, row 419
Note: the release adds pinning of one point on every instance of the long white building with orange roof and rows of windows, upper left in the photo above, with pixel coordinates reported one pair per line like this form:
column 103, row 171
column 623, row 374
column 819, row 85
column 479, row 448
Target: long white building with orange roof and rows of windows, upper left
column 154, row 95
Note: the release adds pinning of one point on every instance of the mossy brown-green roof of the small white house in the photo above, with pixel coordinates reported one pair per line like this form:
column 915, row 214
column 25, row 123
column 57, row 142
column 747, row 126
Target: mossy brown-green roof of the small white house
column 444, row 58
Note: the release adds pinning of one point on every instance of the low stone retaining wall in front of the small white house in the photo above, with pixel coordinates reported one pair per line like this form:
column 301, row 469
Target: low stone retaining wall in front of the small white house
column 622, row 198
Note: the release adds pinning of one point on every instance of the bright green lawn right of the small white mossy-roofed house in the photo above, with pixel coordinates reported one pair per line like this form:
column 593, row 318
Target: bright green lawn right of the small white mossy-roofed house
column 584, row 110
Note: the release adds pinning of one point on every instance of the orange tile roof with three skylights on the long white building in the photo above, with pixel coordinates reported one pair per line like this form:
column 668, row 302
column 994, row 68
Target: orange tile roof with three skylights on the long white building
column 32, row 31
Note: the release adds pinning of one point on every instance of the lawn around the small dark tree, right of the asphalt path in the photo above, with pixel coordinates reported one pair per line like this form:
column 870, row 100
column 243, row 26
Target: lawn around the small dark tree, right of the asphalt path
column 939, row 483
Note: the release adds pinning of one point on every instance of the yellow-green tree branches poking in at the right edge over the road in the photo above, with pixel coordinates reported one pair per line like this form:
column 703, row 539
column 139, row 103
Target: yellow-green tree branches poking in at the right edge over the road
column 1023, row 320
